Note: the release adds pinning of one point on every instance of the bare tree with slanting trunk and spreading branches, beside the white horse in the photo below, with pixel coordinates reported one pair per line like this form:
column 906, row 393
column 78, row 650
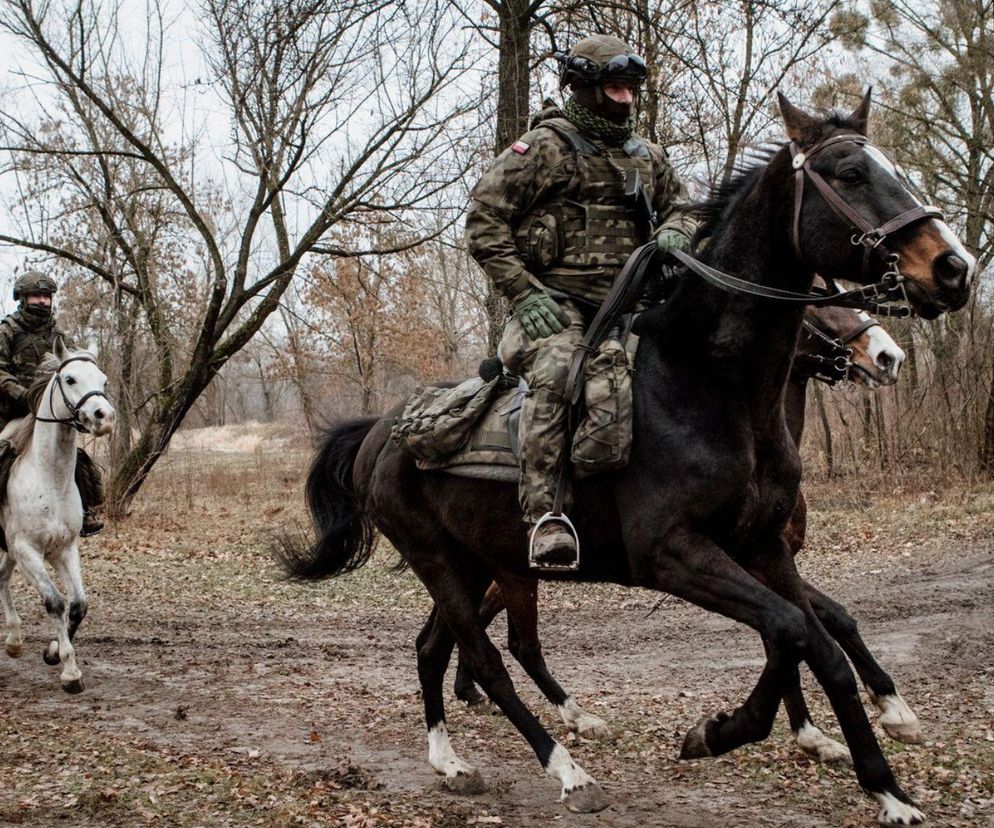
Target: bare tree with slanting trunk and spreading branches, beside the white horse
column 337, row 115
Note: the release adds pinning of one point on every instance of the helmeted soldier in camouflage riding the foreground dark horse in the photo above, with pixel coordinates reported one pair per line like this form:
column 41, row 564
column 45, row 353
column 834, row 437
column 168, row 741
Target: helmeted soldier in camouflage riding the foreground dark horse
column 552, row 214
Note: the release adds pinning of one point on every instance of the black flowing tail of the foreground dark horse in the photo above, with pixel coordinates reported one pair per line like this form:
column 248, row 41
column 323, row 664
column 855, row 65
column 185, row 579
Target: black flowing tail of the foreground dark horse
column 345, row 536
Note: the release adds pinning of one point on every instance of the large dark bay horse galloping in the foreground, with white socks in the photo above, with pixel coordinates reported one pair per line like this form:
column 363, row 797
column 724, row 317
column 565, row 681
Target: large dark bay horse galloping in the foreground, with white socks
column 700, row 510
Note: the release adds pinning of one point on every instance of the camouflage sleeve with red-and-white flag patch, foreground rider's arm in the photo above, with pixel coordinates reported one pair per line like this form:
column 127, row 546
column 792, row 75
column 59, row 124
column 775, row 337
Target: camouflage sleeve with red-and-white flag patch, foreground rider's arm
column 519, row 178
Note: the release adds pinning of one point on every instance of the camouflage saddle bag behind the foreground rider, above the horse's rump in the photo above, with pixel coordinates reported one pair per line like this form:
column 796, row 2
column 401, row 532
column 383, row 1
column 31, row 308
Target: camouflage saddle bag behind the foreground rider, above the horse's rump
column 438, row 422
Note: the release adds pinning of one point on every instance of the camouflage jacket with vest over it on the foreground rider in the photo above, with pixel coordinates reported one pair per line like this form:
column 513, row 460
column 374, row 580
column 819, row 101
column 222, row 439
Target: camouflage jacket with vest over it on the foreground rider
column 551, row 210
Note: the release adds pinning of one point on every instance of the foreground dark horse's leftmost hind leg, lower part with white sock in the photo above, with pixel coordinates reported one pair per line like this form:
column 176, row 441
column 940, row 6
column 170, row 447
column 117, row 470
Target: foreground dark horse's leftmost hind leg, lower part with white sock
column 434, row 646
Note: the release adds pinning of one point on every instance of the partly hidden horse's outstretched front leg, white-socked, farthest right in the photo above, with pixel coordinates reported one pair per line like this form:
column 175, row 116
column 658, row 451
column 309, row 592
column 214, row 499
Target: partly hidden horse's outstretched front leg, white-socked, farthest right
column 897, row 718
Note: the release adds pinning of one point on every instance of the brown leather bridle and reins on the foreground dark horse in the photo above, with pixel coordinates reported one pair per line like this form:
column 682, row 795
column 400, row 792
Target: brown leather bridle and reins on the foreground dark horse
column 873, row 297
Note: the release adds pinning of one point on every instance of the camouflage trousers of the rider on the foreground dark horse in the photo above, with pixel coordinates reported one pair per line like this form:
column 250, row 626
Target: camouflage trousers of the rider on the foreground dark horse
column 544, row 364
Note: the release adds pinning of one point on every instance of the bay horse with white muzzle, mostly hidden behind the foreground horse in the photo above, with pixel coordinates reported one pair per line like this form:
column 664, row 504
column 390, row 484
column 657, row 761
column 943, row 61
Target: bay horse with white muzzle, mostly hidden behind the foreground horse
column 835, row 344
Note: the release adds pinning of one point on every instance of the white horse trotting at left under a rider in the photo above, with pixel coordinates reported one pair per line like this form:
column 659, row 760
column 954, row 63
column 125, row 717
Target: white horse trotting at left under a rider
column 41, row 512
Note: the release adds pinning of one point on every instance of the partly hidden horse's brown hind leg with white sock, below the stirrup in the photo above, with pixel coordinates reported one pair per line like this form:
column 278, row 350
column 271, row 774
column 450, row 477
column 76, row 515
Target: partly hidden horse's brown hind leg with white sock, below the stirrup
column 521, row 598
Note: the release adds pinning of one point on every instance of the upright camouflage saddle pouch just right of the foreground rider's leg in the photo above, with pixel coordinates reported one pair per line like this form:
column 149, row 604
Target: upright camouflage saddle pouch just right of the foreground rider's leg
column 603, row 442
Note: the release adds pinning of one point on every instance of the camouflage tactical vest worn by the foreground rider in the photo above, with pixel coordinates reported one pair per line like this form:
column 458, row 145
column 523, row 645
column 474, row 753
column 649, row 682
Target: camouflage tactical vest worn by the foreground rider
column 577, row 240
